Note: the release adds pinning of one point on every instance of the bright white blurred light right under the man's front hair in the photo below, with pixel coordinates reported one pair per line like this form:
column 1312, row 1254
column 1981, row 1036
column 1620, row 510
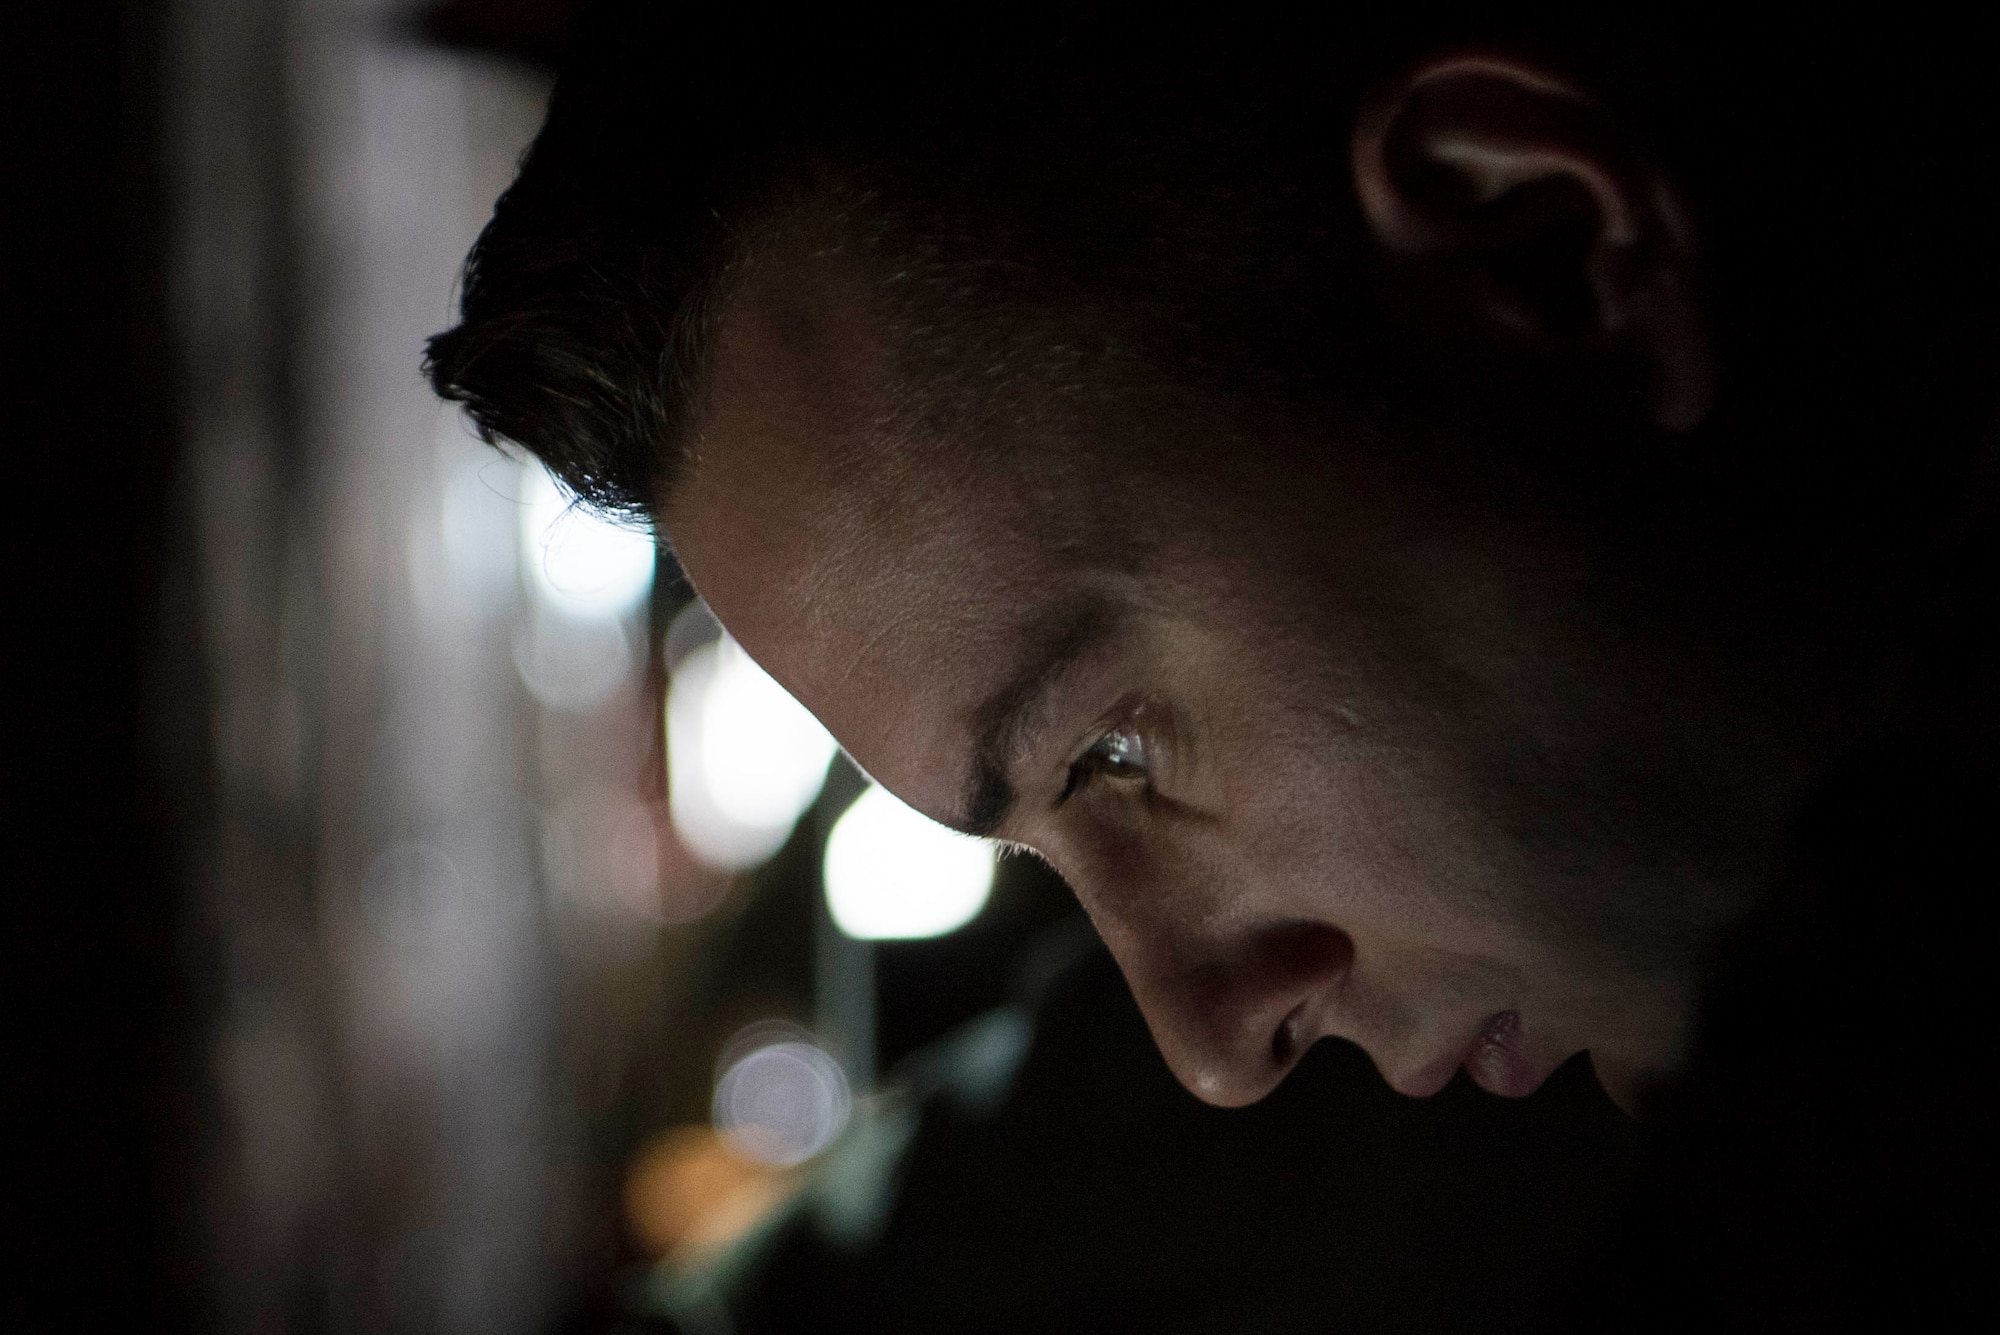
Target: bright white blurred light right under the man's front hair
column 581, row 563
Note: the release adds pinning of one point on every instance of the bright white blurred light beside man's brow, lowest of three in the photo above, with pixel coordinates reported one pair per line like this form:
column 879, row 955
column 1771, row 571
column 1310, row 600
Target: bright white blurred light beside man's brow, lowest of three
column 895, row 874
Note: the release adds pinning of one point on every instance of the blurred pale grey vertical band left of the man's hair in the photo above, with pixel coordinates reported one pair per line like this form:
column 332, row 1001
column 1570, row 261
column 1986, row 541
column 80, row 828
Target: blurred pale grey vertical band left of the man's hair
column 369, row 912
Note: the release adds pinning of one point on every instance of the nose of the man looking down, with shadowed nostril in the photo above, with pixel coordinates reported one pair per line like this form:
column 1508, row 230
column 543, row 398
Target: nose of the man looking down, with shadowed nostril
column 1235, row 1022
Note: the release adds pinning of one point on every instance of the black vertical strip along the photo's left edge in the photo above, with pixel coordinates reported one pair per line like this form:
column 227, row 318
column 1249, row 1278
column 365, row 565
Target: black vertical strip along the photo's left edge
column 91, row 908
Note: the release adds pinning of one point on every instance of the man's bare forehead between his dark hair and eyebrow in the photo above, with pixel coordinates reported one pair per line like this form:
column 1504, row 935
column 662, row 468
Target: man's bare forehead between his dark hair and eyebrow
column 879, row 581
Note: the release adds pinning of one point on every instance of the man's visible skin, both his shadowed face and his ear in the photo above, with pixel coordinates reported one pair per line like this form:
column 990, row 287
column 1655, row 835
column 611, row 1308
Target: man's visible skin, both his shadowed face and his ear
column 1321, row 746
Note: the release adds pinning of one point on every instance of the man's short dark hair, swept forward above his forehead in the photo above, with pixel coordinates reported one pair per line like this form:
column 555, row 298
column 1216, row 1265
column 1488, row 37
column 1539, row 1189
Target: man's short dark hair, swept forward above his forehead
column 957, row 153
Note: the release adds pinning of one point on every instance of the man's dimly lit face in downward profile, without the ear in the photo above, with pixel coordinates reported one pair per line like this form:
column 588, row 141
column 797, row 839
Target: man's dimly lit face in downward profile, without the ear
column 1309, row 748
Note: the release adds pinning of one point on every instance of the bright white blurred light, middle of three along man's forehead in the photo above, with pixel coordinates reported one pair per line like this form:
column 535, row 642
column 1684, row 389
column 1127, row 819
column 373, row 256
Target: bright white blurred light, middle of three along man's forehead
column 745, row 760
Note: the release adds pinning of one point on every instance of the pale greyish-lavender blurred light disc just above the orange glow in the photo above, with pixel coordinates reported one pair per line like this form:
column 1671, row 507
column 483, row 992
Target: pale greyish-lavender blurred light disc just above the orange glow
column 783, row 1104
